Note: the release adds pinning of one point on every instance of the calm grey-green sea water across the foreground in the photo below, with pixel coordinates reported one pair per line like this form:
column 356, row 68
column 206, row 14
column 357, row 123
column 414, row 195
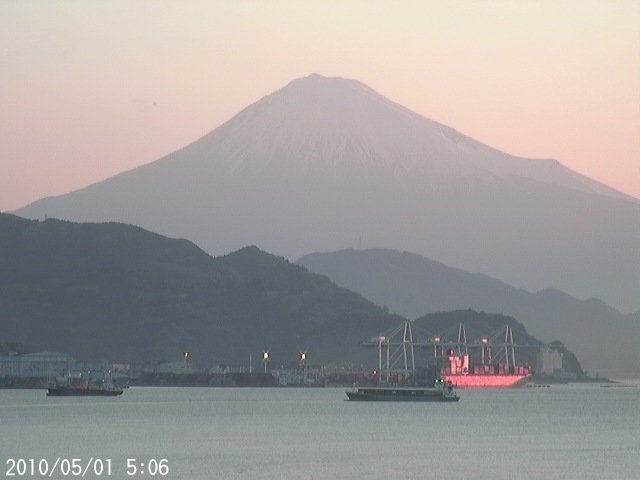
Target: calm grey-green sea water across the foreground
column 562, row 432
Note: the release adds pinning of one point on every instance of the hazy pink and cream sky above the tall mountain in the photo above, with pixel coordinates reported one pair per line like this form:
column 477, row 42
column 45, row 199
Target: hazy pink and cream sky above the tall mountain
column 89, row 89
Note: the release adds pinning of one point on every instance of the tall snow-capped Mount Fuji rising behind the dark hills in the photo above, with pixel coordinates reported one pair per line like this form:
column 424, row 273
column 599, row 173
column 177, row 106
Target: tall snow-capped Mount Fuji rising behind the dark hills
column 327, row 163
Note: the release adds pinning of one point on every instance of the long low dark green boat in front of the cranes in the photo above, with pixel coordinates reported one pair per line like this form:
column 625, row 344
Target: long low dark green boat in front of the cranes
column 442, row 391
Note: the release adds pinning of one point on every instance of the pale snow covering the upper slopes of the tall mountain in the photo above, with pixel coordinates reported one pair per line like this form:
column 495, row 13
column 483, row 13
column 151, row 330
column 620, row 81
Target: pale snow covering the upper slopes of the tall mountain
column 334, row 122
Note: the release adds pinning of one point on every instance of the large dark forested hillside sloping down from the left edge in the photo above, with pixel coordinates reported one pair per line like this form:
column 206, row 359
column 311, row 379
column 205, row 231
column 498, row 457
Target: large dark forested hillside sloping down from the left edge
column 119, row 292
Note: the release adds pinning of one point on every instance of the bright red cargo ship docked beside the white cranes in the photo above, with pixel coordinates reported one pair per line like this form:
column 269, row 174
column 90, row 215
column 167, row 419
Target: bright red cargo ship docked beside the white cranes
column 462, row 374
